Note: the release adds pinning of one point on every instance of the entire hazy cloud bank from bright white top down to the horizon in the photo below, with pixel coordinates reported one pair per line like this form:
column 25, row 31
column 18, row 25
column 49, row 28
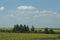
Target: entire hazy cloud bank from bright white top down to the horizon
column 32, row 16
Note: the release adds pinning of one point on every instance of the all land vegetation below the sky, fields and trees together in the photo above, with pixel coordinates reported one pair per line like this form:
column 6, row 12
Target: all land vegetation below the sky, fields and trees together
column 21, row 32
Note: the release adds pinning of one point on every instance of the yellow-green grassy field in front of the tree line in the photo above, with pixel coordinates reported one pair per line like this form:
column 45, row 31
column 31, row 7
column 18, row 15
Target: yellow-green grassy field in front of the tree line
column 21, row 36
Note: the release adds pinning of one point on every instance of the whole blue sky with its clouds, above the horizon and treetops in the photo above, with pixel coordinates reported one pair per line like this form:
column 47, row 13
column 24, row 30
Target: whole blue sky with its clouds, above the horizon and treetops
column 40, row 13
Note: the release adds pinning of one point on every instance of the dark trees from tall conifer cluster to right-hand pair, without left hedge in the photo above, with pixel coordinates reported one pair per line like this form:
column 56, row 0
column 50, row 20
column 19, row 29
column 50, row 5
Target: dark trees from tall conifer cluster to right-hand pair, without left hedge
column 25, row 29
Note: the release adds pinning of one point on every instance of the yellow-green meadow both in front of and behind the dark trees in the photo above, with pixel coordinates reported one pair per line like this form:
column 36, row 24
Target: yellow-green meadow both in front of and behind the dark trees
column 27, row 36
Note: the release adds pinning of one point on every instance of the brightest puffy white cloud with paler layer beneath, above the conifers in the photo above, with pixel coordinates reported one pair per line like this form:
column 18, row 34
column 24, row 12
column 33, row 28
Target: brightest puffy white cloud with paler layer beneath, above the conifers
column 24, row 10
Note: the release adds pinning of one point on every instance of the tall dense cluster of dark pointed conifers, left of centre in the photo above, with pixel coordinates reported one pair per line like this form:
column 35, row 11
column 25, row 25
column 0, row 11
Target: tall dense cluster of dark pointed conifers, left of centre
column 21, row 28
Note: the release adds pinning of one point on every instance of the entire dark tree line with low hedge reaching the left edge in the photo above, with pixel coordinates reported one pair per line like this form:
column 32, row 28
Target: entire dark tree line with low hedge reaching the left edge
column 25, row 29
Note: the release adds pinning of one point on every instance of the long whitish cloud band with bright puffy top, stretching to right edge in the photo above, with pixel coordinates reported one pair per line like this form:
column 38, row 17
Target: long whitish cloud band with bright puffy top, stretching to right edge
column 32, row 12
